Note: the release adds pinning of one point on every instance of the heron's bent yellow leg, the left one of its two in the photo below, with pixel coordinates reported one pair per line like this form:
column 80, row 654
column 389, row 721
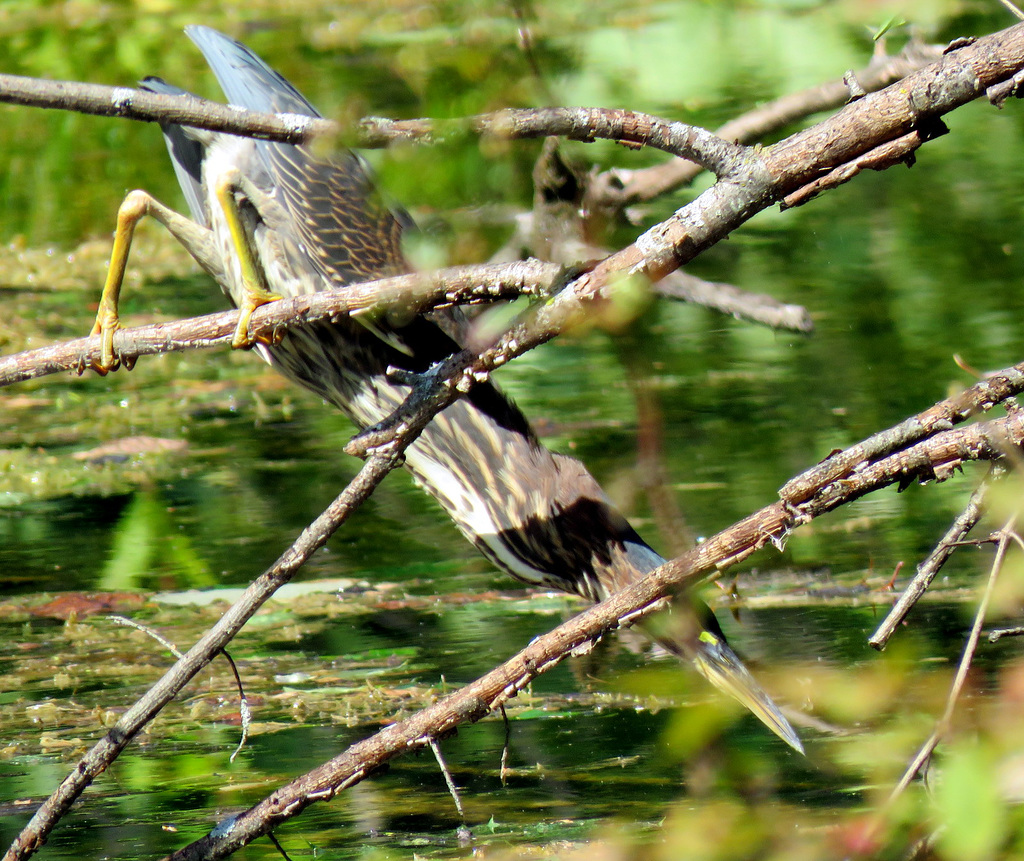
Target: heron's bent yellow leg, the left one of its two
column 197, row 240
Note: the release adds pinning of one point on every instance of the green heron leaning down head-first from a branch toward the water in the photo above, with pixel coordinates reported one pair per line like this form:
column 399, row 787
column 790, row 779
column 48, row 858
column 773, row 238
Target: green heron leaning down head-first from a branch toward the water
column 275, row 220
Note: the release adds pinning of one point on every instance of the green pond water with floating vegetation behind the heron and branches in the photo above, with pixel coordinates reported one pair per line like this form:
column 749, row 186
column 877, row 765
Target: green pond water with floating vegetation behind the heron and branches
column 154, row 495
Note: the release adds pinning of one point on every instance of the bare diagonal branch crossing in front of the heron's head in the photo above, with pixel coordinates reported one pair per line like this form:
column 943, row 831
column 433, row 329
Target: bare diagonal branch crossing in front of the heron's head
column 926, row 461
